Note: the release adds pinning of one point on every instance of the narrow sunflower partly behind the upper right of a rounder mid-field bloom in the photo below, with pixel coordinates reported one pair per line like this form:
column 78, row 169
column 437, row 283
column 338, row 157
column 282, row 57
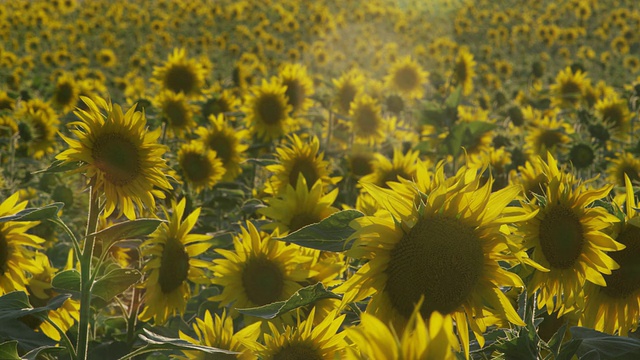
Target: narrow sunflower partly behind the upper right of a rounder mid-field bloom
column 299, row 87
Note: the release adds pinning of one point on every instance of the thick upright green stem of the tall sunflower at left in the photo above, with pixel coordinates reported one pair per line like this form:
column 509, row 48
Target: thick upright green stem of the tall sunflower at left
column 85, row 276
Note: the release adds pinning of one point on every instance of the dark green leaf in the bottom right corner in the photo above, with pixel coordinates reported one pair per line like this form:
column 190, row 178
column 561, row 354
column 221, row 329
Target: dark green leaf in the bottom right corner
column 607, row 346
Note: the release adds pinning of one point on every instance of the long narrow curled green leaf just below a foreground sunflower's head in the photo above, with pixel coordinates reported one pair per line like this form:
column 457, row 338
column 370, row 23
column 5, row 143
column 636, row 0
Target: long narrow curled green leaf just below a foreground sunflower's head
column 305, row 296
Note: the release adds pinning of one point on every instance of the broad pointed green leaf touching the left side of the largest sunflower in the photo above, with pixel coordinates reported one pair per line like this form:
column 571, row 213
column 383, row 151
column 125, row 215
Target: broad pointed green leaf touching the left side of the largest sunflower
column 330, row 234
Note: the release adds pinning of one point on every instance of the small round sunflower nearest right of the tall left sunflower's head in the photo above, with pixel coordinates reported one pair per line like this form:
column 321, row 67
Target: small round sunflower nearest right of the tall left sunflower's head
column 201, row 168
